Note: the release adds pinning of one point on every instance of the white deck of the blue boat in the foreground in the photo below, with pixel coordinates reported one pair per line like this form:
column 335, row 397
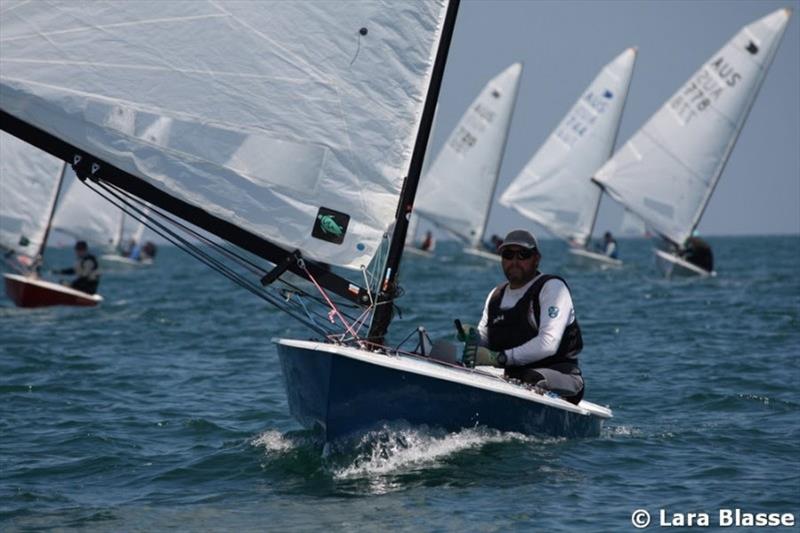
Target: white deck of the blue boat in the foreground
column 485, row 378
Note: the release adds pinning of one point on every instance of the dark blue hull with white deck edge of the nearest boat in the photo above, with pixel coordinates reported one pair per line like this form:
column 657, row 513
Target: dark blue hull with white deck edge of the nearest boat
column 341, row 390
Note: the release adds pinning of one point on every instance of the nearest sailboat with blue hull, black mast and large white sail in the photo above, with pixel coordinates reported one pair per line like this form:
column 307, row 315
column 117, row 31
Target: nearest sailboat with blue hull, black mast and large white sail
column 298, row 133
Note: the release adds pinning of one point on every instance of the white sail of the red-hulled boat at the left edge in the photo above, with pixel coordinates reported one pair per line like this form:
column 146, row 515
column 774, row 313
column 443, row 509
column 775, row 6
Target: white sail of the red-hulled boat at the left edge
column 28, row 187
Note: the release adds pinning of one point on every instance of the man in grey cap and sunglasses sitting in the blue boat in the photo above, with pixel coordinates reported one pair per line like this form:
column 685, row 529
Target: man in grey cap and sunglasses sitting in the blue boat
column 528, row 324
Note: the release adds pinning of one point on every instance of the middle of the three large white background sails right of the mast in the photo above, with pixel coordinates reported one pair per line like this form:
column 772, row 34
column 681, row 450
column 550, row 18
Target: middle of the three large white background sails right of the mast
column 554, row 188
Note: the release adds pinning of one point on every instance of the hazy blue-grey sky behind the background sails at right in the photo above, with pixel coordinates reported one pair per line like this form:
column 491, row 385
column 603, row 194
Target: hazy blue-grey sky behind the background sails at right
column 563, row 44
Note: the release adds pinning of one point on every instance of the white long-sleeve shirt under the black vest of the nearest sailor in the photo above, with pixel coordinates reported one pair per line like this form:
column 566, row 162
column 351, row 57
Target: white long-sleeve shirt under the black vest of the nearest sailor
column 556, row 314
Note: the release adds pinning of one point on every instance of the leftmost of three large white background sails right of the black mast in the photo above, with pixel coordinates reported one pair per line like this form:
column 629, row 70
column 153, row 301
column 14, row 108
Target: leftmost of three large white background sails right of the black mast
column 457, row 191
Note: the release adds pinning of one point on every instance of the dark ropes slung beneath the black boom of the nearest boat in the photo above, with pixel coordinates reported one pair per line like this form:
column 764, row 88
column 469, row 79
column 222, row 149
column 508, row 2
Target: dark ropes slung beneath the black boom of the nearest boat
column 205, row 258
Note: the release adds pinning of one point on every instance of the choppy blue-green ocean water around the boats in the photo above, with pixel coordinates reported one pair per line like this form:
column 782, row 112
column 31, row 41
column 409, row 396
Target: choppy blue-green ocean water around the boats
column 164, row 408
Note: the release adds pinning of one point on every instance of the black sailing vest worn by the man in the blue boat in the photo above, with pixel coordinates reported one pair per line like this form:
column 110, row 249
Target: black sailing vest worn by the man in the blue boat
column 509, row 328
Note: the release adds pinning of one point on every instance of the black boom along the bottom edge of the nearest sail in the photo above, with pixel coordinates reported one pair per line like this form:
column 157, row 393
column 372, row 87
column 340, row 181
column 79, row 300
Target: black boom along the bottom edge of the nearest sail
column 88, row 166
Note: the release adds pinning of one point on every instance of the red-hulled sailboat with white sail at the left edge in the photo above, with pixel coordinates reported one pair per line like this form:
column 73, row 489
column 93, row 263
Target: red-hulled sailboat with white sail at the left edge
column 30, row 180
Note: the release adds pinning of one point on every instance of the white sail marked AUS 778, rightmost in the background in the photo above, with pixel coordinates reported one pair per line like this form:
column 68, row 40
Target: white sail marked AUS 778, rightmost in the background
column 667, row 171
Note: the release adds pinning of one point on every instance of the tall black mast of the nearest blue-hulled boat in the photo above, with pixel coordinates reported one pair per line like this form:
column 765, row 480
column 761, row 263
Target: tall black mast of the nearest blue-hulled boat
column 383, row 309
